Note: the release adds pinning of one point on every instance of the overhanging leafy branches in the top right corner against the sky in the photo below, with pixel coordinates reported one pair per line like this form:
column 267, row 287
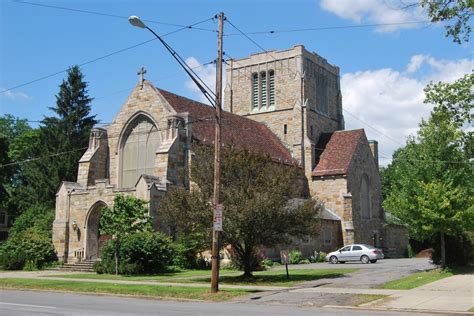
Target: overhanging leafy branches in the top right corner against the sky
column 456, row 12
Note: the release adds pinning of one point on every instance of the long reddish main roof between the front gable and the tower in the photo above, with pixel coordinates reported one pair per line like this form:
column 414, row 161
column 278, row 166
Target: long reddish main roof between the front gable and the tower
column 238, row 131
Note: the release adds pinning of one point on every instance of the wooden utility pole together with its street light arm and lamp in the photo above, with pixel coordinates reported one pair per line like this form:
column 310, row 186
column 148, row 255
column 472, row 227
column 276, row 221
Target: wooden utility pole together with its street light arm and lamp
column 216, row 100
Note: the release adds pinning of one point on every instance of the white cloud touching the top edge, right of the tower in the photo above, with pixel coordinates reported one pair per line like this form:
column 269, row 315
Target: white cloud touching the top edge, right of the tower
column 377, row 12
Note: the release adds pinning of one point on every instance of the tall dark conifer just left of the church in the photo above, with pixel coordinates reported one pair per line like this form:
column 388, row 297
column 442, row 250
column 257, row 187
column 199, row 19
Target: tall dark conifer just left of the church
column 60, row 141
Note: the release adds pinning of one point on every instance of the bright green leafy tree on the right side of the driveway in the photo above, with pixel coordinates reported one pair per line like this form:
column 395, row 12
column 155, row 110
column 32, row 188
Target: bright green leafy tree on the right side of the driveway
column 430, row 186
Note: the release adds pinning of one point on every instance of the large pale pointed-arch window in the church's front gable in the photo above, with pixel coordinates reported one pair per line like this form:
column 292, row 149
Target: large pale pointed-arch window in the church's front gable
column 138, row 150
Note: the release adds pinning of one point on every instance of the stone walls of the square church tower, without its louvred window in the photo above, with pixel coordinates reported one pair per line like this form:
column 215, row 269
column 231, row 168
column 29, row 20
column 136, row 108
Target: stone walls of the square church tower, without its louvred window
column 289, row 66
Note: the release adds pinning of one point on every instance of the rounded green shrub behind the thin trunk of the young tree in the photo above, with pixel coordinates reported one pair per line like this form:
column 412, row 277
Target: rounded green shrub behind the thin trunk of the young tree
column 141, row 252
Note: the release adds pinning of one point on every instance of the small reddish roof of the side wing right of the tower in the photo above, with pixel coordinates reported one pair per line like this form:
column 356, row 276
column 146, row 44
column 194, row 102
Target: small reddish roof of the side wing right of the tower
column 336, row 152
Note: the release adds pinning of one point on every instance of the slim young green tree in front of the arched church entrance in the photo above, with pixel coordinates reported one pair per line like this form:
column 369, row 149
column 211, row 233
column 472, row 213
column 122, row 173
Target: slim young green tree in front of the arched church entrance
column 128, row 215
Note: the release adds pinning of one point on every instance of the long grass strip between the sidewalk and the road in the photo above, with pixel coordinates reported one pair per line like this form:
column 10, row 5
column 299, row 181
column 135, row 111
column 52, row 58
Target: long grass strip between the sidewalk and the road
column 156, row 291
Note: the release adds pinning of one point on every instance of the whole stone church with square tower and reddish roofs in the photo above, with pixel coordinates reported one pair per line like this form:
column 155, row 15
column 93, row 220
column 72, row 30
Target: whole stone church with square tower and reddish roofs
column 286, row 104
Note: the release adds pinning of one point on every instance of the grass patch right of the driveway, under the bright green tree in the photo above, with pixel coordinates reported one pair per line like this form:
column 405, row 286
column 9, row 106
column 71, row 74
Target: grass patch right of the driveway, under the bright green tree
column 421, row 278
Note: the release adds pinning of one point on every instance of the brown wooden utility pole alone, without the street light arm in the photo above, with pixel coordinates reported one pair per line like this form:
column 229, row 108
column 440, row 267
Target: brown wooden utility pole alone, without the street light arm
column 217, row 162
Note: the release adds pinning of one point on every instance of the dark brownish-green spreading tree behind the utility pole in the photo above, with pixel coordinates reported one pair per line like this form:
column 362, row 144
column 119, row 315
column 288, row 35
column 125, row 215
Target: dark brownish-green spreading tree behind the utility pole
column 255, row 193
